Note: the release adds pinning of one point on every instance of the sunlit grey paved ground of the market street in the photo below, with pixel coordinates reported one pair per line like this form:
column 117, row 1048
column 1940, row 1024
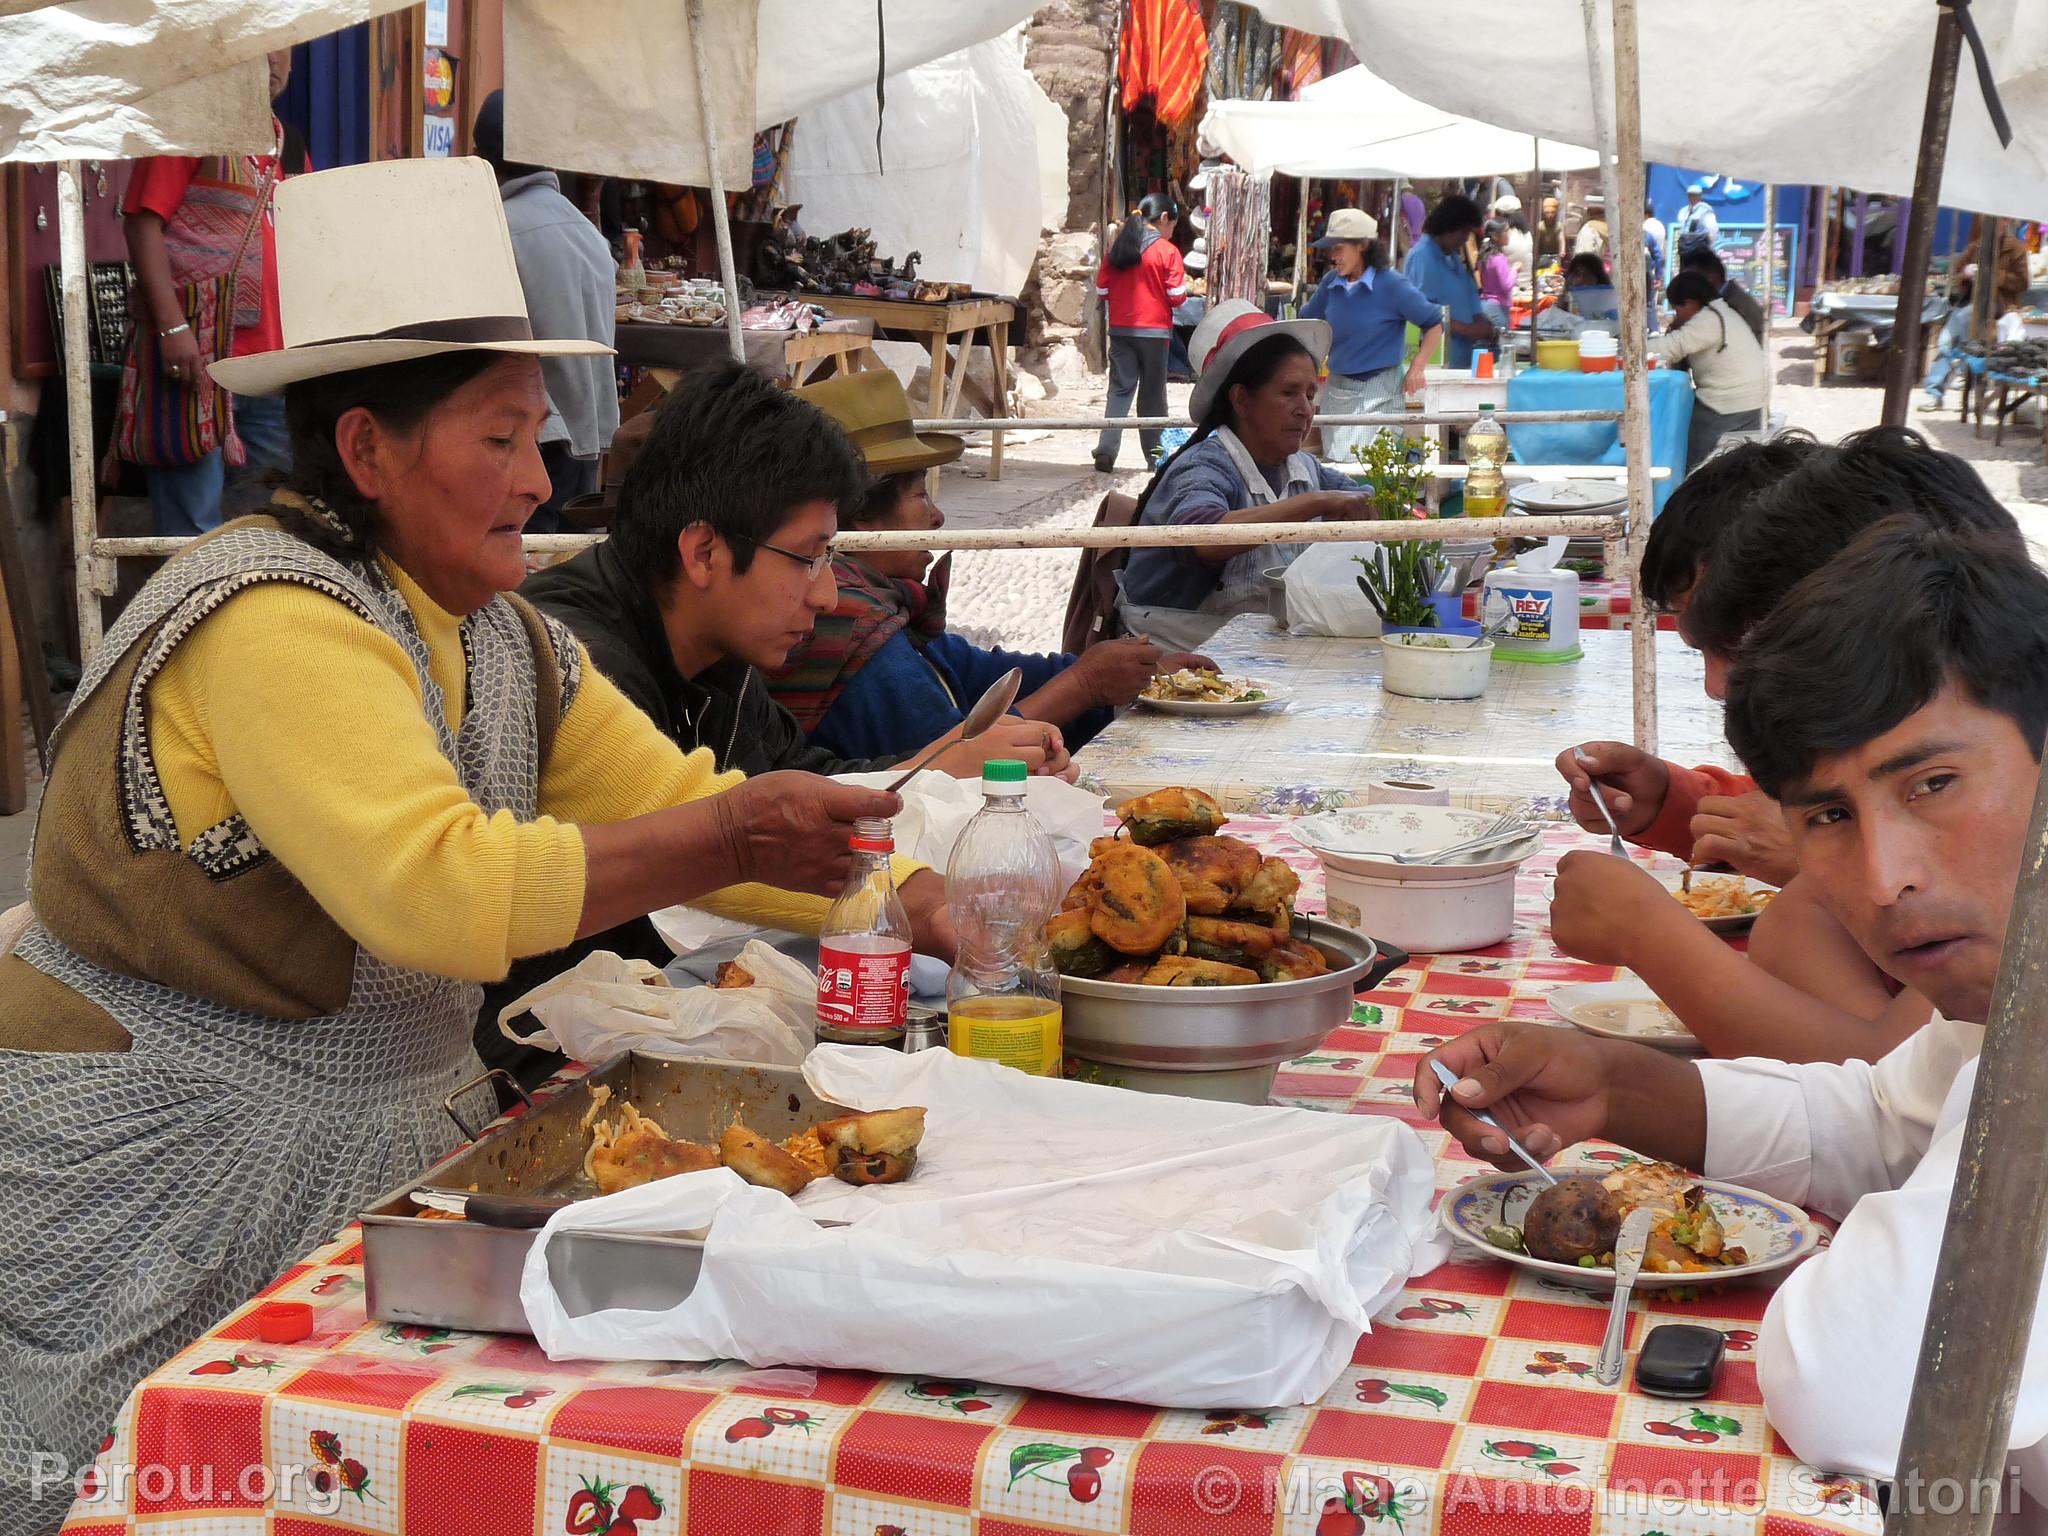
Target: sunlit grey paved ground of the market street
column 1019, row 599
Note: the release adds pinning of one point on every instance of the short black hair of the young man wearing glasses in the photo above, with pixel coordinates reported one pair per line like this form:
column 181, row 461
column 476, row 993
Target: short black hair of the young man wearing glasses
column 736, row 452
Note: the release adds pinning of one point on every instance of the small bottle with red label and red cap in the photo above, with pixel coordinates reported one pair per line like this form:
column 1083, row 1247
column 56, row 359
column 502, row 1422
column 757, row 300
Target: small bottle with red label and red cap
column 863, row 949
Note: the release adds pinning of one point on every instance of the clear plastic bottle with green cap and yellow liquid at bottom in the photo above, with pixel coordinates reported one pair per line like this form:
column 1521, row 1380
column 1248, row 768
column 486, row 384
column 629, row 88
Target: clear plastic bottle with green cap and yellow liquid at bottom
column 1002, row 882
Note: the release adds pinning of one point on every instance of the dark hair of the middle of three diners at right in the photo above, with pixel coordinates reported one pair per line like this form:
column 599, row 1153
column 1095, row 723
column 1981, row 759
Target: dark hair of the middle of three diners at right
column 1805, row 519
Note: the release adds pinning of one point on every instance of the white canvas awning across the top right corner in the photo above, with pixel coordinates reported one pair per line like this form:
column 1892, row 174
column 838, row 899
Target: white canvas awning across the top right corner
column 1826, row 91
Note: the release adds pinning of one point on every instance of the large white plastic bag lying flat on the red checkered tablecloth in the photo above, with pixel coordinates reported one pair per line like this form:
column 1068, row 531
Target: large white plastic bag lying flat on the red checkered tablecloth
column 1183, row 1252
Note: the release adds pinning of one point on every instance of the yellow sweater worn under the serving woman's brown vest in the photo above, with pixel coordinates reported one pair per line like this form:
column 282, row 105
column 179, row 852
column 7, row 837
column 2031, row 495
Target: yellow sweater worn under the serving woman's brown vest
column 288, row 708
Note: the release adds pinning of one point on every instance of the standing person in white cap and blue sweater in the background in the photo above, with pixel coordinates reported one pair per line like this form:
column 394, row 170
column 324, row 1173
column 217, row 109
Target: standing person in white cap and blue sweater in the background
column 1369, row 308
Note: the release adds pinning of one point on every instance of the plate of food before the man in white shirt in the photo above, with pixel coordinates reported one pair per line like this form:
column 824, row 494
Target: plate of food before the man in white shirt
column 1705, row 1232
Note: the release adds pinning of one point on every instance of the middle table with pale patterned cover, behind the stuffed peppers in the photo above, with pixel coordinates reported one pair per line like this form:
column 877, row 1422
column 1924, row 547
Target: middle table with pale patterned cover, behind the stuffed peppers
column 1340, row 732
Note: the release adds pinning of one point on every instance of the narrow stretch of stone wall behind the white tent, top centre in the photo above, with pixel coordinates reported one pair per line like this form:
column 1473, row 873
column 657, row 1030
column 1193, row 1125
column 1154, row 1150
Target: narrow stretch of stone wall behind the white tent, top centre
column 1072, row 54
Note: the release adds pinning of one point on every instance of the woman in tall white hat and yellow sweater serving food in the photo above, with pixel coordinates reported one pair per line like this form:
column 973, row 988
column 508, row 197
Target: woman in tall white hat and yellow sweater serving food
column 321, row 781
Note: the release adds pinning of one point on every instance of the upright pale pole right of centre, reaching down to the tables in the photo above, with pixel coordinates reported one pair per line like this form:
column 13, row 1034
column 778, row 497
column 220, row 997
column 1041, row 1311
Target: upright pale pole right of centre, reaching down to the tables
column 1635, row 359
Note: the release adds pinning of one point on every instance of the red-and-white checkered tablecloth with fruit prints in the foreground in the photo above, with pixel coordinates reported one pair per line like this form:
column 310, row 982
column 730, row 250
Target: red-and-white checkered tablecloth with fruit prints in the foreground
column 1469, row 1406
